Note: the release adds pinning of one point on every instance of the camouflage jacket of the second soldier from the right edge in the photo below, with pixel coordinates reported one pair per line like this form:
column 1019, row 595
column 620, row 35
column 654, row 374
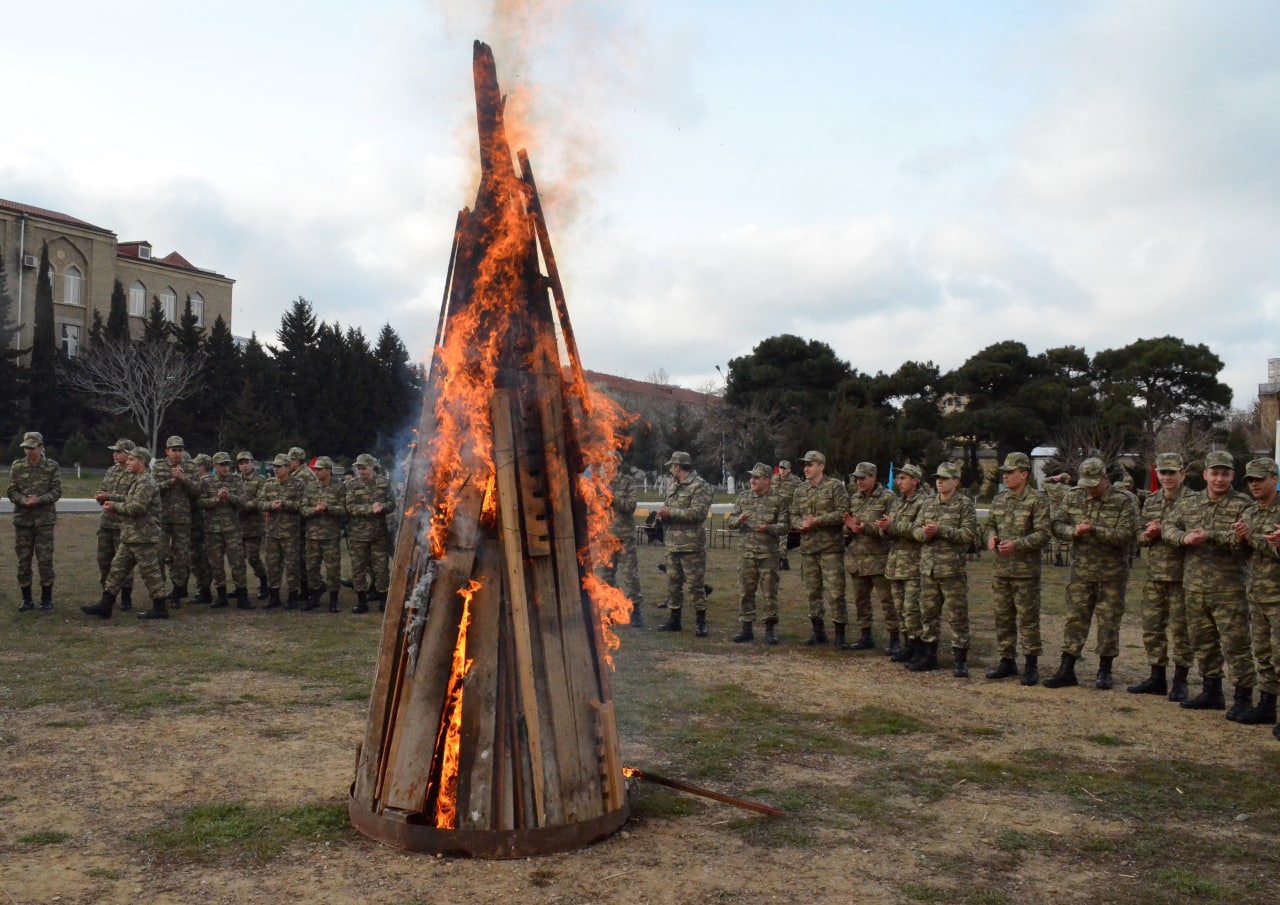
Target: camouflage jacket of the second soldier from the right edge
column 1218, row 564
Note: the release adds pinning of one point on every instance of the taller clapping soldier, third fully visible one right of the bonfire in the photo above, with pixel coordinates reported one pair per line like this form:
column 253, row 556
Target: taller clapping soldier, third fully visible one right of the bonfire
column 819, row 510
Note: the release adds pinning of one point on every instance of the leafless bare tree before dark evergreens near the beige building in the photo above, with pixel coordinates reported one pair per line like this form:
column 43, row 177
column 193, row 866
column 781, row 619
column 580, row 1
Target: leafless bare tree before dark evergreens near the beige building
column 139, row 381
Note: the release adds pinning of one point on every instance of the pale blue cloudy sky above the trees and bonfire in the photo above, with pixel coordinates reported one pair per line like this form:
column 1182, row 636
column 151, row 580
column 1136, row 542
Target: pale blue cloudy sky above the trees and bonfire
column 904, row 182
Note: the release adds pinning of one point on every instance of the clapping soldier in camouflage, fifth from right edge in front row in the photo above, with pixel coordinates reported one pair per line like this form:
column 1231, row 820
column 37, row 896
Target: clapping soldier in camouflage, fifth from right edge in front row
column 1017, row 532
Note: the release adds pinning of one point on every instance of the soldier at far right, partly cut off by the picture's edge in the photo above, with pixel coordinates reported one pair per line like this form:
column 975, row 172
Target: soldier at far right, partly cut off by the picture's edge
column 1260, row 528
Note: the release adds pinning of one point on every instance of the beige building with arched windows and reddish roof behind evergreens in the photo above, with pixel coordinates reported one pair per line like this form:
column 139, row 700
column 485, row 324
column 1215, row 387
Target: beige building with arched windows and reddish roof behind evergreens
column 86, row 262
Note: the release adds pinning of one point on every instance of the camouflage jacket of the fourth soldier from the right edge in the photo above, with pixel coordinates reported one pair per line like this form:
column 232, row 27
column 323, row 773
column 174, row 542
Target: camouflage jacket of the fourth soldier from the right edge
column 1104, row 554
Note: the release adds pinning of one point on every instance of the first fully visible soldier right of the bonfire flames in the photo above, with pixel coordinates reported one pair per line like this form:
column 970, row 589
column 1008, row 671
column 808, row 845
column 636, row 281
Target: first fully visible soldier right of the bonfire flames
column 689, row 500
